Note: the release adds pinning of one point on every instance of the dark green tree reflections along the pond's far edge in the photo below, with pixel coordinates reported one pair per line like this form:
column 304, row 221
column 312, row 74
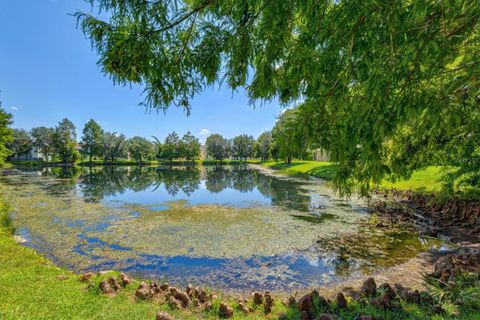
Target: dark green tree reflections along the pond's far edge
column 99, row 182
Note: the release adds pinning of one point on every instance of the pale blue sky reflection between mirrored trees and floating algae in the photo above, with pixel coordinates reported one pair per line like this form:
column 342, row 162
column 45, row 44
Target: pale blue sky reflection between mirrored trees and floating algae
column 228, row 196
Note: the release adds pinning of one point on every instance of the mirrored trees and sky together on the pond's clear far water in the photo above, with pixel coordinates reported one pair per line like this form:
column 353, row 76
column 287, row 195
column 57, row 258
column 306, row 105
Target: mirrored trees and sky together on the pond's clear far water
column 190, row 182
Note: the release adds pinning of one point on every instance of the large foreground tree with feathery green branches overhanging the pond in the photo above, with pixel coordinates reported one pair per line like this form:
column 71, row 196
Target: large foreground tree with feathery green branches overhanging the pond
column 366, row 70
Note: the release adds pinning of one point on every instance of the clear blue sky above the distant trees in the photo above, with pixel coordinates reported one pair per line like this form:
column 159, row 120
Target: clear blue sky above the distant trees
column 48, row 72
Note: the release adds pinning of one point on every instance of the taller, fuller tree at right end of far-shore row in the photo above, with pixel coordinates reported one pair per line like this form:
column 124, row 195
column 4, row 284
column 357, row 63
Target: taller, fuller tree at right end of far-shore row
column 289, row 136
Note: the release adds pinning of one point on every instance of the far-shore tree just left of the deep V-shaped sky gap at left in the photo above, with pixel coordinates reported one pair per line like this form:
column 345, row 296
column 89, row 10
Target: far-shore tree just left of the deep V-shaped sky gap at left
column 65, row 141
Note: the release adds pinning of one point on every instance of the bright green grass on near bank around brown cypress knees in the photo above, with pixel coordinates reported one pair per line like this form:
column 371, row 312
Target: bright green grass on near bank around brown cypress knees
column 30, row 288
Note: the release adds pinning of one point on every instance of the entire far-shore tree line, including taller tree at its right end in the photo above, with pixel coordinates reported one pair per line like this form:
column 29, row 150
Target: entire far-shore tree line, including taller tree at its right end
column 285, row 141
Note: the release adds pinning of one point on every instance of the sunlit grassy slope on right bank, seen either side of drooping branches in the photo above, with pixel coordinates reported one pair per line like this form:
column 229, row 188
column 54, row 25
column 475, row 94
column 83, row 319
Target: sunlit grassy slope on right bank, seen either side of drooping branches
column 427, row 180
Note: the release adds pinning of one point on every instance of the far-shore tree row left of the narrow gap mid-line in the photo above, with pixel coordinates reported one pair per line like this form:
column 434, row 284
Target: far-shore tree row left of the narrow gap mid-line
column 60, row 143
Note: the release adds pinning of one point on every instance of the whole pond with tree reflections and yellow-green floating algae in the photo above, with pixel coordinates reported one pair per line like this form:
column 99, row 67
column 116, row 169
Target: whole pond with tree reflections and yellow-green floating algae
column 228, row 227
